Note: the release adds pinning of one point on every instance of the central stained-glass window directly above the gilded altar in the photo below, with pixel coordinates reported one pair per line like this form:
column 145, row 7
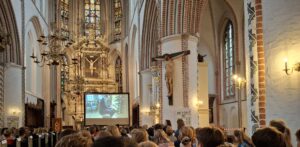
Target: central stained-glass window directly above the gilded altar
column 92, row 16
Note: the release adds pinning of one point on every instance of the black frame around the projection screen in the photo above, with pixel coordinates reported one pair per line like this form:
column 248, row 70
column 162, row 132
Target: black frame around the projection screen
column 86, row 93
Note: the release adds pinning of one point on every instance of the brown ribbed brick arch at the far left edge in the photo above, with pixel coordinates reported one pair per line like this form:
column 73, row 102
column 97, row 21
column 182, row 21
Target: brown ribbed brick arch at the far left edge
column 13, row 52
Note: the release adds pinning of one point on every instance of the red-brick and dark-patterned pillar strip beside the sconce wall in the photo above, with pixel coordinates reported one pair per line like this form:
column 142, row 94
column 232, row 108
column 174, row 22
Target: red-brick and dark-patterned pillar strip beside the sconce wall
column 255, row 65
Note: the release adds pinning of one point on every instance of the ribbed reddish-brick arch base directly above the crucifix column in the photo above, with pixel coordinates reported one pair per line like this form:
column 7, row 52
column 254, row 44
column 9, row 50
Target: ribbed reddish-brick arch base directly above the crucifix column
column 181, row 16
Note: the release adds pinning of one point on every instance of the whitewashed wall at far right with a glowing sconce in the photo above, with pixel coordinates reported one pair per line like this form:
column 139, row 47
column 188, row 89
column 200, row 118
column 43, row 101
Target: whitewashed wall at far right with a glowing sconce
column 281, row 22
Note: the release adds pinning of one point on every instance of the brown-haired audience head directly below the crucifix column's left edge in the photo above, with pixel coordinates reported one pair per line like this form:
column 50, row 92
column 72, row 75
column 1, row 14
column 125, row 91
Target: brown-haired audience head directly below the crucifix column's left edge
column 161, row 139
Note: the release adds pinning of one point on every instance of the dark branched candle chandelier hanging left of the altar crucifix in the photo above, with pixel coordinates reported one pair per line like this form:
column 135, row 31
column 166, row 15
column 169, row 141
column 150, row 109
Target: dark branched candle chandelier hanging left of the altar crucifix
column 52, row 49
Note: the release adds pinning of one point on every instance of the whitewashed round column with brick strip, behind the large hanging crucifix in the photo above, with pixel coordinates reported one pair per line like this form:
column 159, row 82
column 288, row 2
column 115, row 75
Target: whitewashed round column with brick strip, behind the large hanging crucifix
column 184, row 80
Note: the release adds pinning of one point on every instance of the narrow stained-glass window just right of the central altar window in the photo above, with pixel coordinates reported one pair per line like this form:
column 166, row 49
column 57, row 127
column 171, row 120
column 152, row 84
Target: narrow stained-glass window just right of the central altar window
column 117, row 18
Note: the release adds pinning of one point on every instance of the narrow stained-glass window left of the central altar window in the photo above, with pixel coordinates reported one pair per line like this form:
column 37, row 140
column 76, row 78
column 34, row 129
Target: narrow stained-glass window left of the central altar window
column 64, row 13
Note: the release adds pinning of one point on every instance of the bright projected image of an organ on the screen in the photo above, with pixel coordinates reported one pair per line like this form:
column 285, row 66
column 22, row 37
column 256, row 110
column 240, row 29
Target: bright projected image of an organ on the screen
column 106, row 106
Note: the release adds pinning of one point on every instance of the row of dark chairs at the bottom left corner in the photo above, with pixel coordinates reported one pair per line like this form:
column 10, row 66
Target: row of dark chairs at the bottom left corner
column 46, row 140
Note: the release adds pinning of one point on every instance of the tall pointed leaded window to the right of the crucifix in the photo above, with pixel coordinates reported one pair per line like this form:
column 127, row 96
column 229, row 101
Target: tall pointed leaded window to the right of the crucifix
column 229, row 60
